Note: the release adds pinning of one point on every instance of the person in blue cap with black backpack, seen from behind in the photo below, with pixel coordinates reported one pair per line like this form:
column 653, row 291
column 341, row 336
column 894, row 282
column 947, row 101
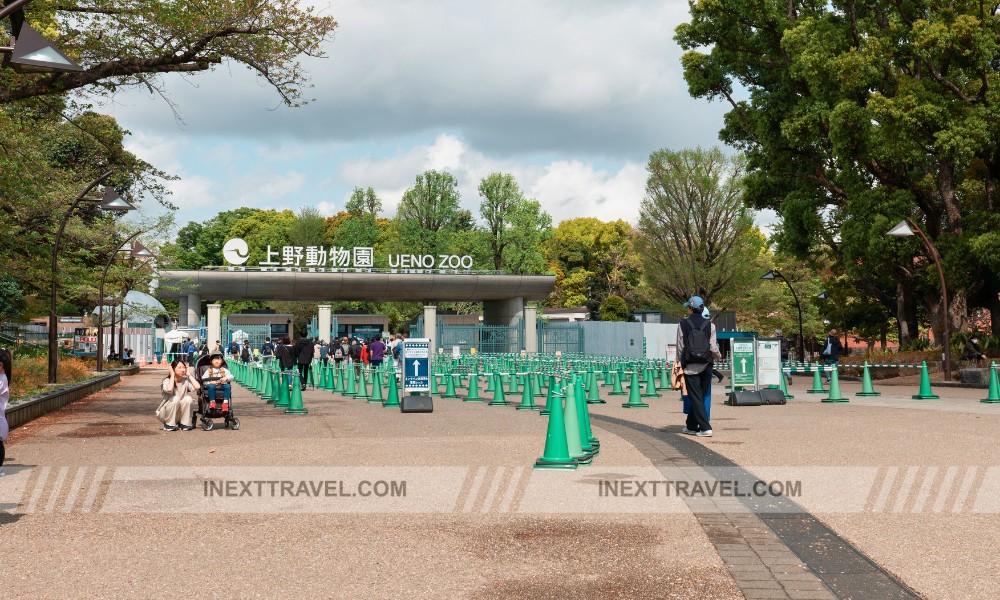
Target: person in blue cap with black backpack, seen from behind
column 697, row 360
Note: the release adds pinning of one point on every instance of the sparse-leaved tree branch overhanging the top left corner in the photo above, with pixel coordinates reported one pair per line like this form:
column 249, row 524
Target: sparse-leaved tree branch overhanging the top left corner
column 136, row 43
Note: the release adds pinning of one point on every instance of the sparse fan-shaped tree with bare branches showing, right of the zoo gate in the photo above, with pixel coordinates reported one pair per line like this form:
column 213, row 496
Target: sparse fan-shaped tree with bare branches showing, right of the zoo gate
column 696, row 235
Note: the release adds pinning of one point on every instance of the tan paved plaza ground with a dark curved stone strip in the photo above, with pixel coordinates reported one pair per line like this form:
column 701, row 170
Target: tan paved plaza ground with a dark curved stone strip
column 896, row 498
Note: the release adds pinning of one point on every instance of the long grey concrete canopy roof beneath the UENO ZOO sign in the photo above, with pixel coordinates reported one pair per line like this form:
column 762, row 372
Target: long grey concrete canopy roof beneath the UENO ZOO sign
column 386, row 287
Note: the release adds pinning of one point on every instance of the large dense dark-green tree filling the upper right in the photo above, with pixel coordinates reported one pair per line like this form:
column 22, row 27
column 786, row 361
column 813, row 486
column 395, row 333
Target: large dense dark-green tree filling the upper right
column 850, row 114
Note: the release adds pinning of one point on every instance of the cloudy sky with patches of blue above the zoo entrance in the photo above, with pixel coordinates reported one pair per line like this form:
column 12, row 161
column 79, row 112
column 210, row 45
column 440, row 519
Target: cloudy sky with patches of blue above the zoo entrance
column 570, row 96
